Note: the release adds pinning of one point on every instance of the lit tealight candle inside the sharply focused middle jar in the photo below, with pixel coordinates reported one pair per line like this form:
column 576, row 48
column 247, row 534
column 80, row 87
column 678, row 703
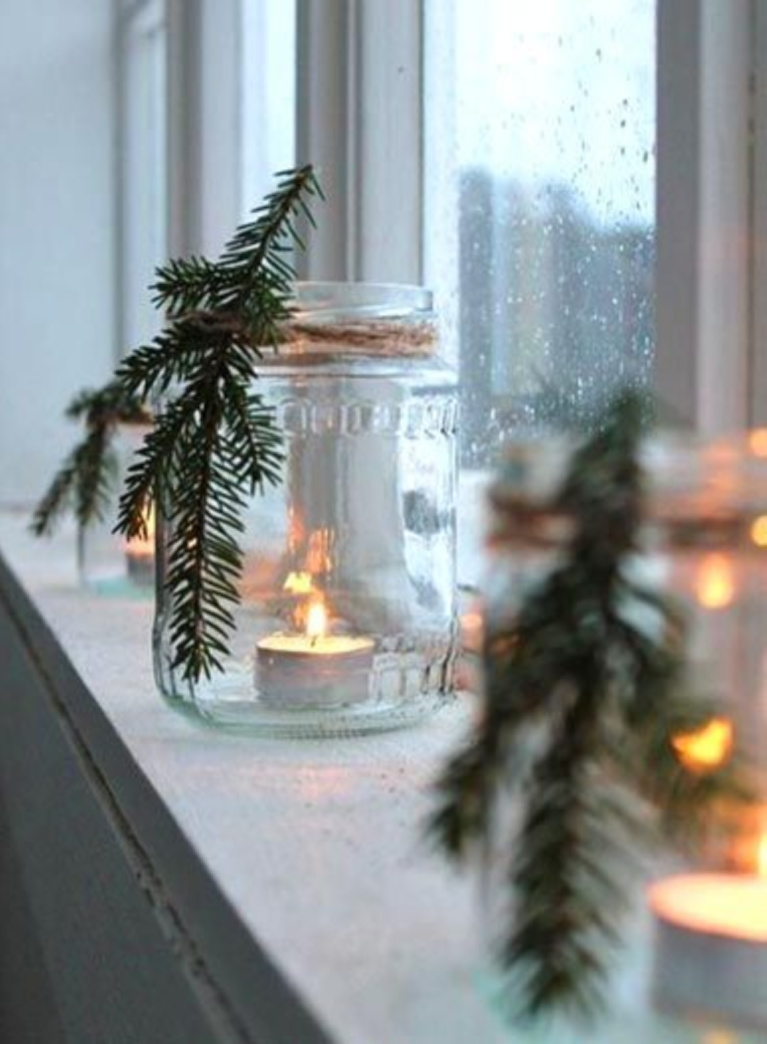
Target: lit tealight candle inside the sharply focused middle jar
column 316, row 669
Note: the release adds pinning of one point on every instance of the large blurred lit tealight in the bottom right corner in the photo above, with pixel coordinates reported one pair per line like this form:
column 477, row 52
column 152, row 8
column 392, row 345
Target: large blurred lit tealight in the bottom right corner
column 711, row 955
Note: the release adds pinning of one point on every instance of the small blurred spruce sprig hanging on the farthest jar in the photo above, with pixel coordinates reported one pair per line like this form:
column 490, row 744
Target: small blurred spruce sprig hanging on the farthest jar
column 87, row 477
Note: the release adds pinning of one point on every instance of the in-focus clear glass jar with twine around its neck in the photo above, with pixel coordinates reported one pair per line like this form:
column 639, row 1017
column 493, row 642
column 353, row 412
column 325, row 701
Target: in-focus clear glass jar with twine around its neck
column 348, row 621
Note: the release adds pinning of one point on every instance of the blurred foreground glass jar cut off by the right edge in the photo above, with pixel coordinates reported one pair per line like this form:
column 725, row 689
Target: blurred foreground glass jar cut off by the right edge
column 704, row 543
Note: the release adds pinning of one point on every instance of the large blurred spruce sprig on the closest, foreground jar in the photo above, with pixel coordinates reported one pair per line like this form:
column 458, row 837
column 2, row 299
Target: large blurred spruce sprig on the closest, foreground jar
column 581, row 707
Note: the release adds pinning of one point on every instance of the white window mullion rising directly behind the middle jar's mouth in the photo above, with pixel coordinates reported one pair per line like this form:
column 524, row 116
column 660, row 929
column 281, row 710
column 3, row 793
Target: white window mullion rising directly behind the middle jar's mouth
column 359, row 105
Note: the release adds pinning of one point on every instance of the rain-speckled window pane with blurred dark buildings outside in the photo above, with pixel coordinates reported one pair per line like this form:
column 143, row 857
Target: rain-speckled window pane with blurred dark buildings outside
column 540, row 204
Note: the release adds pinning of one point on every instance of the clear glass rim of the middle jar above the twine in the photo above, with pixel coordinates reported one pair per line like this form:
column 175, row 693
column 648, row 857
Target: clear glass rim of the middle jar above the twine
column 338, row 302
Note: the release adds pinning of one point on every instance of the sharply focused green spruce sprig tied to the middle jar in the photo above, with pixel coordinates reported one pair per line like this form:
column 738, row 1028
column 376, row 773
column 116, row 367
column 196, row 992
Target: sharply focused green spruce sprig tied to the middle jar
column 217, row 441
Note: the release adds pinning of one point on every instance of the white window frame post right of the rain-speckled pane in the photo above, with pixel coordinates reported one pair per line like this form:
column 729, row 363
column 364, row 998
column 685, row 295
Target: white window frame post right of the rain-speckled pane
column 704, row 271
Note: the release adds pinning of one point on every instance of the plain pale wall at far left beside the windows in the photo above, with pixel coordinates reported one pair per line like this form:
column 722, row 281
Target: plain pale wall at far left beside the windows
column 57, row 227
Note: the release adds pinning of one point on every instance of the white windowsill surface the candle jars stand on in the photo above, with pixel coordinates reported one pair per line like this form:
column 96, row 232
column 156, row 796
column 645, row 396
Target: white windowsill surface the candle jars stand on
column 315, row 846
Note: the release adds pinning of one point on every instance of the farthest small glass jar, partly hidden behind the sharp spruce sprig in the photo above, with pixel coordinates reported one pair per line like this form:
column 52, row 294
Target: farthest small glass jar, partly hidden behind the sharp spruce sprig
column 108, row 564
